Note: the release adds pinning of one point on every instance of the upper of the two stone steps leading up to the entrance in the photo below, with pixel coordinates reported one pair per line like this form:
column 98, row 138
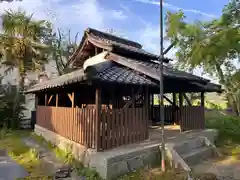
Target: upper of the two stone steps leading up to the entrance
column 187, row 146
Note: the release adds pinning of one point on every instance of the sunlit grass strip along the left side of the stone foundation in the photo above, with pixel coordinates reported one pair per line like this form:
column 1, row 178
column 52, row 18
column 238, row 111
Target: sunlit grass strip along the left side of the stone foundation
column 67, row 157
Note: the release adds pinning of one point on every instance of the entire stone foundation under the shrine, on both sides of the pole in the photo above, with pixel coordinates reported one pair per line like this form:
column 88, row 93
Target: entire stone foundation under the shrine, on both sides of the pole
column 114, row 162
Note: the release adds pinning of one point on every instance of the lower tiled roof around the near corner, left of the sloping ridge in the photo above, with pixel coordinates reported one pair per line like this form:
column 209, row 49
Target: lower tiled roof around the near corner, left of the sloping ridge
column 106, row 72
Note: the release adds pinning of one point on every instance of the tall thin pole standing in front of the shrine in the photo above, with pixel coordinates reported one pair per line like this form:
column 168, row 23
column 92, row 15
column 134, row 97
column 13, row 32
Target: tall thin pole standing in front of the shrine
column 161, row 88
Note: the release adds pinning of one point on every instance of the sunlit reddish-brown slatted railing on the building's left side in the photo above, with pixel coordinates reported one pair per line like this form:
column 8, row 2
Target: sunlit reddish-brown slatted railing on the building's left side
column 73, row 123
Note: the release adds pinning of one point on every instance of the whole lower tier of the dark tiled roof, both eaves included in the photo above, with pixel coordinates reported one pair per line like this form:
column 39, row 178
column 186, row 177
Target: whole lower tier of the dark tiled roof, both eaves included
column 127, row 71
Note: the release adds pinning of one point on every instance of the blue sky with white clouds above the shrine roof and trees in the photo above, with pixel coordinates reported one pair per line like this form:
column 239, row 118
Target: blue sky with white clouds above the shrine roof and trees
column 134, row 19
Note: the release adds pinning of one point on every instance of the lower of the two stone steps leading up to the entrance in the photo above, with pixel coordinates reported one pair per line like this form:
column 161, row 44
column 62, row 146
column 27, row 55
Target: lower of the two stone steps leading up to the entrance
column 197, row 155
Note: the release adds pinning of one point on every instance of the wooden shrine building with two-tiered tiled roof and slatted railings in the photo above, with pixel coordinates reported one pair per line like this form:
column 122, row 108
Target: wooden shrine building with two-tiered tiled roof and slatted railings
column 107, row 101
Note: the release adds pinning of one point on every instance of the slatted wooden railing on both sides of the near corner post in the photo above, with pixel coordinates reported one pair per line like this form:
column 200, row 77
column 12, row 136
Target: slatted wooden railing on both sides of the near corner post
column 117, row 127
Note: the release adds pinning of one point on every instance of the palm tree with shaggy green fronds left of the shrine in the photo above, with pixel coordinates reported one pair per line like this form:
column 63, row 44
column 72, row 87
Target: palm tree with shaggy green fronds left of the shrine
column 23, row 44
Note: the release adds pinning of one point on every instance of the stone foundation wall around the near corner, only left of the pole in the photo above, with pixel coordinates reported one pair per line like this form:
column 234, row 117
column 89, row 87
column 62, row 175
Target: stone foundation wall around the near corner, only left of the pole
column 109, row 163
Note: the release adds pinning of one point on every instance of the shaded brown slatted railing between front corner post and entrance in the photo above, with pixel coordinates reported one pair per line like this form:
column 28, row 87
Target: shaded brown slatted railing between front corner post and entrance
column 123, row 126
